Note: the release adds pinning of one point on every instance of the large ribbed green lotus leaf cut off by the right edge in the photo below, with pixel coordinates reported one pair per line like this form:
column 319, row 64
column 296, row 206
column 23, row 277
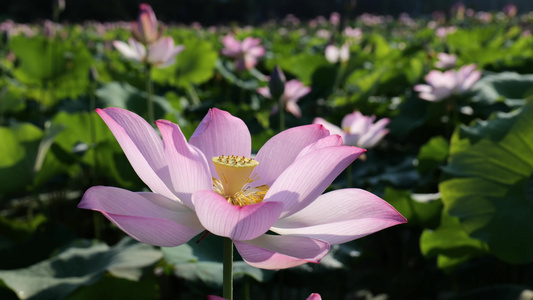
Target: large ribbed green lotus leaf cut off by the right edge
column 488, row 187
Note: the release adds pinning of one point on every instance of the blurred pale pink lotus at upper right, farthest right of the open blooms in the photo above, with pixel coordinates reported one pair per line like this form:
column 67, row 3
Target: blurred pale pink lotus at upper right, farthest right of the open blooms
column 442, row 85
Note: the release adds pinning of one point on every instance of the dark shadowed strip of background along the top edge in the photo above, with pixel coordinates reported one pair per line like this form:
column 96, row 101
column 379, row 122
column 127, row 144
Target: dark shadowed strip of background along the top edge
column 217, row 12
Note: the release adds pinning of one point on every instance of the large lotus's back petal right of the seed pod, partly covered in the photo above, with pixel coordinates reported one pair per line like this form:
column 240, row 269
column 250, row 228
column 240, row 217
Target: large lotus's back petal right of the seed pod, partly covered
column 280, row 151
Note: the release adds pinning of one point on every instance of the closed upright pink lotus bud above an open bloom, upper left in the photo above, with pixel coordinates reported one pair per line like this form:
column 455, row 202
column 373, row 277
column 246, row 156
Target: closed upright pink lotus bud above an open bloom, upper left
column 145, row 29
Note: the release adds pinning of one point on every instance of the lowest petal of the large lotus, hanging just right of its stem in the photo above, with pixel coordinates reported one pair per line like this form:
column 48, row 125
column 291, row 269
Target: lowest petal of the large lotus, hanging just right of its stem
column 281, row 252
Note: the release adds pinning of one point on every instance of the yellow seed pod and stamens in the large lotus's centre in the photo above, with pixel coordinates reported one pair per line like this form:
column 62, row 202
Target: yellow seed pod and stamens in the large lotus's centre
column 234, row 173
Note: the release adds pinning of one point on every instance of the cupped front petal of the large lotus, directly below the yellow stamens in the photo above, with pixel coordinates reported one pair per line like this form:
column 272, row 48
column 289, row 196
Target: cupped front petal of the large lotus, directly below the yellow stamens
column 236, row 222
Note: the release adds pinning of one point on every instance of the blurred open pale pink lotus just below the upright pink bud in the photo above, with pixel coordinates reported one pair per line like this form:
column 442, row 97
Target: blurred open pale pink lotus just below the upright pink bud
column 160, row 54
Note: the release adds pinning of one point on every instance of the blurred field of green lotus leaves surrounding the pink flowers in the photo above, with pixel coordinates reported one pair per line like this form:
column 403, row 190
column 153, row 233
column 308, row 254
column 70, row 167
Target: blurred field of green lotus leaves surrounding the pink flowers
column 464, row 184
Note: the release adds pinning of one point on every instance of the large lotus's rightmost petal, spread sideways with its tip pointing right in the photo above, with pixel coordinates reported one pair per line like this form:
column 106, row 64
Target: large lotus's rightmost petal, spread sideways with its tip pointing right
column 341, row 216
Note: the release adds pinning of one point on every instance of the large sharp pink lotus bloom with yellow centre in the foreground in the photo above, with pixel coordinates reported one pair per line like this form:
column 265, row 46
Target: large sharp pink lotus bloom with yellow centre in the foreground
column 207, row 184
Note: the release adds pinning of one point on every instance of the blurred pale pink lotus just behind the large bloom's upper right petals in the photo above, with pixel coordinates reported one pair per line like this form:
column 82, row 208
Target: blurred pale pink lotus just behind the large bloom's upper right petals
column 358, row 130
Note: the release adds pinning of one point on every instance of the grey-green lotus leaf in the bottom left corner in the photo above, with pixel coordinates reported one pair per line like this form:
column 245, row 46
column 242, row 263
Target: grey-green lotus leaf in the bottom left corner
column 80, row 264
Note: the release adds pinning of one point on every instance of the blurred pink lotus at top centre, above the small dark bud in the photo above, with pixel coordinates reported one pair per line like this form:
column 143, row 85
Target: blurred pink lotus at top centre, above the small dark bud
column 245, row 53
